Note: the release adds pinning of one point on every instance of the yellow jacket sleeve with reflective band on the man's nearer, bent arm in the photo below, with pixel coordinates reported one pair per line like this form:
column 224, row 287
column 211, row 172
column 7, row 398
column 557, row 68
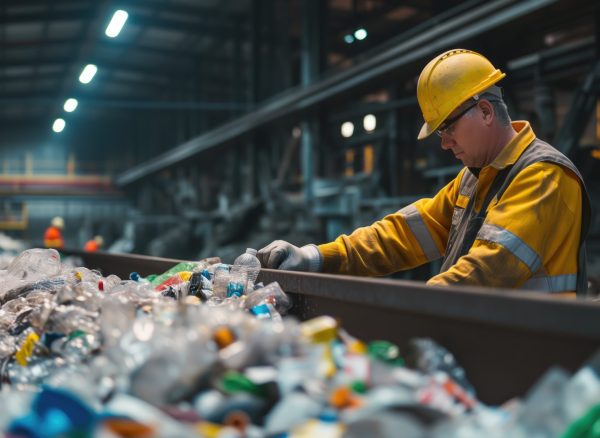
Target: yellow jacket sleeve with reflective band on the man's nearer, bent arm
column 533, row 231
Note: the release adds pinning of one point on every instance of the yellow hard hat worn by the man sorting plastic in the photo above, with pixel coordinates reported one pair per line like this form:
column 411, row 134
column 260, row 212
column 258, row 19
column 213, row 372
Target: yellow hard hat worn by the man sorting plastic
column 449, row 80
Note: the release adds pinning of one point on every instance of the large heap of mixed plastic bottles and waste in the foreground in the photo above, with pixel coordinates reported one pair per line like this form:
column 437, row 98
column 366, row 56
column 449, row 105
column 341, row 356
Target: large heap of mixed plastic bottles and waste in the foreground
column 203, row 351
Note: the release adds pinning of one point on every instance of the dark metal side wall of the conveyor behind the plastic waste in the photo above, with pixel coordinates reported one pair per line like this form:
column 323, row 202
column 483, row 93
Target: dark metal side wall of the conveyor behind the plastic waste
column 505, row 340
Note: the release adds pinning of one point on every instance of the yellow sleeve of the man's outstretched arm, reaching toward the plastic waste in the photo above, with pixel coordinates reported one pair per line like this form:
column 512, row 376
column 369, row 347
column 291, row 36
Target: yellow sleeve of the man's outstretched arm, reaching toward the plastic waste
column 408, row 238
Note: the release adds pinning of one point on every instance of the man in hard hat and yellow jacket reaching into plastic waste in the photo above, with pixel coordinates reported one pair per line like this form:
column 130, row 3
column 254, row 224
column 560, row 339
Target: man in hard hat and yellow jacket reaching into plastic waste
column 515, row 216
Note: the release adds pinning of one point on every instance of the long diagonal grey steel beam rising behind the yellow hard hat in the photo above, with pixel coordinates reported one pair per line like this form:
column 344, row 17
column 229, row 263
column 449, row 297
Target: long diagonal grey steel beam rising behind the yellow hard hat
column 435, row 39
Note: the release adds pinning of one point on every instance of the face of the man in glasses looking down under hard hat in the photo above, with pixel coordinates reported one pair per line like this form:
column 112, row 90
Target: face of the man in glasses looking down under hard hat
column 462, row 134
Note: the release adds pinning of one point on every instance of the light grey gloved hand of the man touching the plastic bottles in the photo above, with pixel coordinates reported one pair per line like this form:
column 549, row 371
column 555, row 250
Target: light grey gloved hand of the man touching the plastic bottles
column 283, row 255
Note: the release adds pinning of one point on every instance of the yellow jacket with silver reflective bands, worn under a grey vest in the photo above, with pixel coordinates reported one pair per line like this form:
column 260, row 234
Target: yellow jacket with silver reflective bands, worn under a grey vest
column 541, row 212
